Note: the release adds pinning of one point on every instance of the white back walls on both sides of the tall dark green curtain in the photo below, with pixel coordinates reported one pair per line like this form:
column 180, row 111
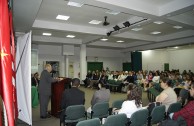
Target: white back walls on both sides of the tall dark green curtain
column 113, row 59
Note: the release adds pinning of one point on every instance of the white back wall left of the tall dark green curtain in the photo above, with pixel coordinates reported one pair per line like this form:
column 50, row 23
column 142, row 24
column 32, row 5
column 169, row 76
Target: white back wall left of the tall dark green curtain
column 111, row 58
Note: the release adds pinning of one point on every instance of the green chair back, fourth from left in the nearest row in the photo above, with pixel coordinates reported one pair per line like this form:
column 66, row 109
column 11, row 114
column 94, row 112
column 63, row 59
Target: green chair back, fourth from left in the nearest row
column 157, row 114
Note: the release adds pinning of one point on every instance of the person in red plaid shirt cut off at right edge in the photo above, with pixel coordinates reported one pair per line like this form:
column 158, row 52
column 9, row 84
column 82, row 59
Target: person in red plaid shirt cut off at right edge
column 187, row 112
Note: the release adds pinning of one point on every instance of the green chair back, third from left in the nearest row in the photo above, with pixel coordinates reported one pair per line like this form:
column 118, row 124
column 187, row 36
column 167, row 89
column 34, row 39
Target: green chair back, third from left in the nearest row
column 139, row 118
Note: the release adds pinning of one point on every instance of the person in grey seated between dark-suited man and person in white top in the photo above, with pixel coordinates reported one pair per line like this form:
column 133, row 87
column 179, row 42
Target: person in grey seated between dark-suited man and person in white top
column 101, row 95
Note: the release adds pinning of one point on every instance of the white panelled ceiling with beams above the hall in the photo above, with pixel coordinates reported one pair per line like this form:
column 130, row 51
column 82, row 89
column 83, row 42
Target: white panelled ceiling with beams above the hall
column 40, row 16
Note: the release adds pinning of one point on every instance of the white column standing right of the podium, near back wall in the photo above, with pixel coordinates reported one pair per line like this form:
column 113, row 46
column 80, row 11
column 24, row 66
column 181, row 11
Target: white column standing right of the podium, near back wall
column 83, row 63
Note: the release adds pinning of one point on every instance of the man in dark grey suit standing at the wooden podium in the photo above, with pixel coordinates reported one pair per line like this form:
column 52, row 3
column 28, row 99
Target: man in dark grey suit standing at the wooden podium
column 45, row 90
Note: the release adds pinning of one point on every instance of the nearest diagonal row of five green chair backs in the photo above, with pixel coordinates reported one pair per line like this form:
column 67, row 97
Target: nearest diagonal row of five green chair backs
column 139, row 118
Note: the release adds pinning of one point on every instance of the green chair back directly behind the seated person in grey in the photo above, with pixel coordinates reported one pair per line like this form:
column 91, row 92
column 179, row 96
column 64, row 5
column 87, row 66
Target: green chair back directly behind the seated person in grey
column 99, row 110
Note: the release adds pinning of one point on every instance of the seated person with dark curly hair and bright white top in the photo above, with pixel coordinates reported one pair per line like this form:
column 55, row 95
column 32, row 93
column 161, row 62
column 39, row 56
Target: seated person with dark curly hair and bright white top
column 132, row 104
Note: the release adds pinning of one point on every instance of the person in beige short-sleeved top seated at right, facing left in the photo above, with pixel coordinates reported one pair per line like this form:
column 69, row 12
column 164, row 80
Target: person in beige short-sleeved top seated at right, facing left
column 168, row 95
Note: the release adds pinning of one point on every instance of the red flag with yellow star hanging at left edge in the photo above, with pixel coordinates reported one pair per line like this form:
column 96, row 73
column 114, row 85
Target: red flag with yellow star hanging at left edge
column 6, row 87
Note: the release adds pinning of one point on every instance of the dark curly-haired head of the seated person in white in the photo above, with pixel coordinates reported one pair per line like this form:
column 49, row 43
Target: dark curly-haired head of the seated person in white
column 134, row 95
